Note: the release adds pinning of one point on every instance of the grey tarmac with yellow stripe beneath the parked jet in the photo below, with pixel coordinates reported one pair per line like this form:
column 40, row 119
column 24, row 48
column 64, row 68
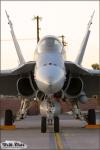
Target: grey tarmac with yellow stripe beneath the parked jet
column 72, row 135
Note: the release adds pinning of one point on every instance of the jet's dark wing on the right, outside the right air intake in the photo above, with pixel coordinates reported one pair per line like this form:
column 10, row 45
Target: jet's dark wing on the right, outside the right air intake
column 90, row 78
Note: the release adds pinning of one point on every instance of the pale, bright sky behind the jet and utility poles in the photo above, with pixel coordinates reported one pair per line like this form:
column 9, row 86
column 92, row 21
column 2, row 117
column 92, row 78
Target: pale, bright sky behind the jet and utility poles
column 69, row 18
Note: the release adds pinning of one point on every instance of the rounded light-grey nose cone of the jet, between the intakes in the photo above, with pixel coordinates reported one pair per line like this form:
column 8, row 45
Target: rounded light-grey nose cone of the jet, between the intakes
column 50, row 79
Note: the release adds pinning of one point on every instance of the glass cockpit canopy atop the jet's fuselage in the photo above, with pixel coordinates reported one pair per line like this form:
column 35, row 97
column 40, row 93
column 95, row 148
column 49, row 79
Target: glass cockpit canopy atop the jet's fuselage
column 49, row 44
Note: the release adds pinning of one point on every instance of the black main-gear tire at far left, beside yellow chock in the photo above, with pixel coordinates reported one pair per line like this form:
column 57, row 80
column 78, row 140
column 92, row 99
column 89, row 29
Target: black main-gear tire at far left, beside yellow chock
column 9, row 119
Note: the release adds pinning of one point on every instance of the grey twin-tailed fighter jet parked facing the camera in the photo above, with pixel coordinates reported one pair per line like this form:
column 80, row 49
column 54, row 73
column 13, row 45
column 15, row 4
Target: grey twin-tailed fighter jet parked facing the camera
column 50, row 79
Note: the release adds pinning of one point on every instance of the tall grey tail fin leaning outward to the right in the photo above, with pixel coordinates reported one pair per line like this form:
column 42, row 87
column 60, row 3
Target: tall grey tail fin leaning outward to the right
column 84, row 43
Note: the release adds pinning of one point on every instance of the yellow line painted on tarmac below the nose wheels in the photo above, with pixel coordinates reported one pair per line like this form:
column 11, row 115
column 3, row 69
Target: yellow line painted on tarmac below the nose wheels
column 59, row 143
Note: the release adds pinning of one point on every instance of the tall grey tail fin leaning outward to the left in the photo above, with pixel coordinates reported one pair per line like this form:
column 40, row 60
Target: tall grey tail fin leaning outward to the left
column 18, row 50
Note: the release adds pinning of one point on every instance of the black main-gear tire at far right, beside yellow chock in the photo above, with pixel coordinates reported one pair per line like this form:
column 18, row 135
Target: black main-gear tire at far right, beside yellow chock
column 91, row 117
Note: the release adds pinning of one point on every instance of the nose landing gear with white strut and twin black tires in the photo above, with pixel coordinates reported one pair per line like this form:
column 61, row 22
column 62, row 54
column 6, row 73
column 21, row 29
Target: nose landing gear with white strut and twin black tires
column 50, row 111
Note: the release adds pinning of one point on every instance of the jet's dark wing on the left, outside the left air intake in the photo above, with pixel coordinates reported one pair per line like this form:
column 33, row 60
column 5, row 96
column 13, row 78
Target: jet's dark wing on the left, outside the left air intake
column 8, row 79
